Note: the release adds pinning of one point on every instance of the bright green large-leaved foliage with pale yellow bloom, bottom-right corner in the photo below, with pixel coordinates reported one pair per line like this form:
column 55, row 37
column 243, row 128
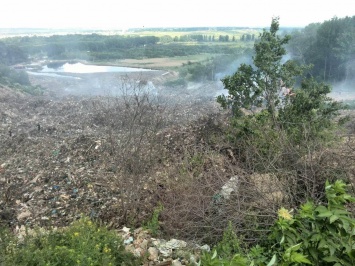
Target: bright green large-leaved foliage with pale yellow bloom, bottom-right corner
column 322, row 234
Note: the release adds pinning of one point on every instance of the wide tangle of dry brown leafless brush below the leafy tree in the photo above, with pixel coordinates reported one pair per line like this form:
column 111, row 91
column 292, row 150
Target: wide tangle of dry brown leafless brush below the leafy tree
column 284, row 176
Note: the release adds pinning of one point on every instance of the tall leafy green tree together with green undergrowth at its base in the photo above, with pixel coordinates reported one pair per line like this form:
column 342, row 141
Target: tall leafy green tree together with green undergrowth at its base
column 269, row 113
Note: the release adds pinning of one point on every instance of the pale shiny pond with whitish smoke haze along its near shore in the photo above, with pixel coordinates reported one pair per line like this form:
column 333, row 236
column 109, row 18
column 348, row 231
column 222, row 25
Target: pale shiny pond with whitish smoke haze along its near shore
column 94, row 80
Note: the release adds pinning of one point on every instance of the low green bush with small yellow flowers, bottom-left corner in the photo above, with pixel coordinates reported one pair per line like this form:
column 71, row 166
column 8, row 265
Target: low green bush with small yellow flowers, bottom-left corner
column 82, row 243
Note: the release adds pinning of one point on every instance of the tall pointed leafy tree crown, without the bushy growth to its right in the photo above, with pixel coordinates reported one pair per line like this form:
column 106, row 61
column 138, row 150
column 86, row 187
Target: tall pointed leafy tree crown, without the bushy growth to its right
column 261, row 85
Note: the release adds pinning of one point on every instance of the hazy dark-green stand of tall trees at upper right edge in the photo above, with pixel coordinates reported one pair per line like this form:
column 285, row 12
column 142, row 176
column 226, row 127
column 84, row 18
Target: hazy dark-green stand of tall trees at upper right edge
column 329, row 46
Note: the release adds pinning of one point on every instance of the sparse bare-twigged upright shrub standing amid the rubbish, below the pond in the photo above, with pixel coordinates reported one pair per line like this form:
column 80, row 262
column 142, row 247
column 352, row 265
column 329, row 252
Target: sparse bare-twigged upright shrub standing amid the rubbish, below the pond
column 131, row 122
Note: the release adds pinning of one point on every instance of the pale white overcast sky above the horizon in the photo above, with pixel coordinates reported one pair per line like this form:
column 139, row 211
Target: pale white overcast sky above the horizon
column 118, row 14
